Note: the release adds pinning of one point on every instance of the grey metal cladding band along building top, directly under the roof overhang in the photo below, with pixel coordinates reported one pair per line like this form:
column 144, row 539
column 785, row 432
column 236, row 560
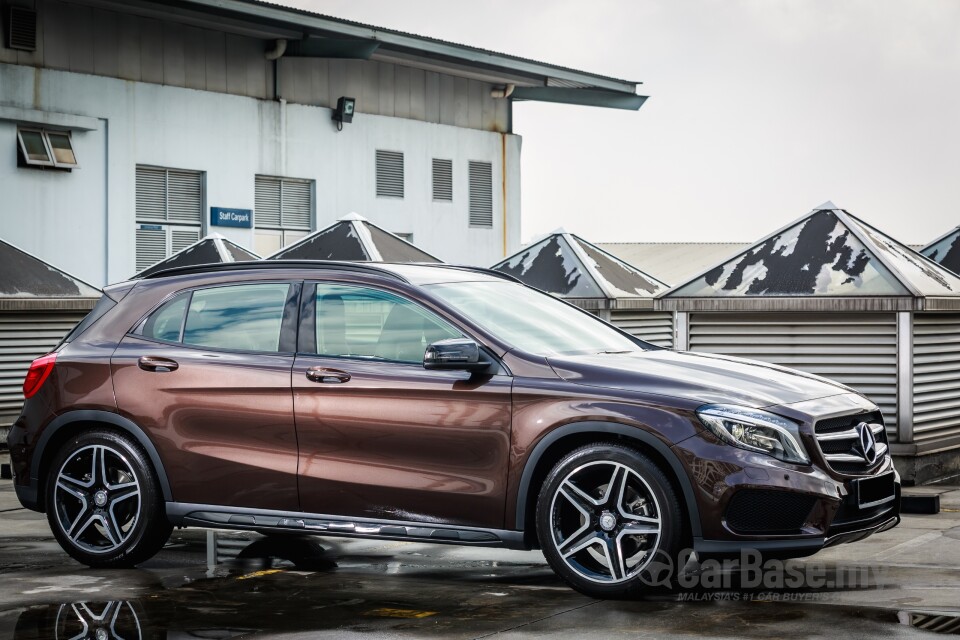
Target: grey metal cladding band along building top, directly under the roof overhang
column 86, row 39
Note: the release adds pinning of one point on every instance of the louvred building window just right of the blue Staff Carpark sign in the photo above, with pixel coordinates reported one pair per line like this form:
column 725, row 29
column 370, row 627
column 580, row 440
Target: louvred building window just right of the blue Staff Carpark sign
column 283, row 210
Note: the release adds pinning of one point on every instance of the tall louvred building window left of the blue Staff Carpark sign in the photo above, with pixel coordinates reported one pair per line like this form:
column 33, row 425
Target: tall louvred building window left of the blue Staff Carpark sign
column 169, row 212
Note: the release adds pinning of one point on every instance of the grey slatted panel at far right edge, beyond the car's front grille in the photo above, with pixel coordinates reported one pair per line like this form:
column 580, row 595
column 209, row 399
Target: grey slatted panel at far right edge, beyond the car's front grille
column 936, row 375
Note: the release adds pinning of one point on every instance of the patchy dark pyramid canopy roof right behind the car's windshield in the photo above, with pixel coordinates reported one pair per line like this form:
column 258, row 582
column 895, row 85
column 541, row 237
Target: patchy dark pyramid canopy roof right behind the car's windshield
column 566, row 265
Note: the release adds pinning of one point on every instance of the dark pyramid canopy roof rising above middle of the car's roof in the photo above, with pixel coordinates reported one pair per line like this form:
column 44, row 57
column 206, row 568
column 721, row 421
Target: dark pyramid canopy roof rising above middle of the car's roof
column 353, row 237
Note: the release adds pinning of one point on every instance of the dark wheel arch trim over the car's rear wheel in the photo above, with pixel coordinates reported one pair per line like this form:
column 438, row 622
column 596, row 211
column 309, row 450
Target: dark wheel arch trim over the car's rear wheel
column 71, row 423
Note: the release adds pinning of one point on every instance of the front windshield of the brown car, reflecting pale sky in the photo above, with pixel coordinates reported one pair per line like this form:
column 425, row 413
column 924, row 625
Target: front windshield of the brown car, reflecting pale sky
column 532, row 321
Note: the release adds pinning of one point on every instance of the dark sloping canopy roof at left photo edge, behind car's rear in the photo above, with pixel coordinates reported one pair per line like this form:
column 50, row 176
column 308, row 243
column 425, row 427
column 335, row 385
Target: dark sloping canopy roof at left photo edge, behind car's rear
column 31, row 283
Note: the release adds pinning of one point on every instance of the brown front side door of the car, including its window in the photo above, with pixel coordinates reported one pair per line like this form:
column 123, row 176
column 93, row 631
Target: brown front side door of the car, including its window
column 380, row 436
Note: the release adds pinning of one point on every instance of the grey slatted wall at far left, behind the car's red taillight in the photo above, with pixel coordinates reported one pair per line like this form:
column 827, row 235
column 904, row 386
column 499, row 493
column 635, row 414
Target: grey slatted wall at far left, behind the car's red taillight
column 24, row 337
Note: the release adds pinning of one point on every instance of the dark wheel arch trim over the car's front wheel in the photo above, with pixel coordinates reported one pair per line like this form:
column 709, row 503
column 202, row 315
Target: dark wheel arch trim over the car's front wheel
column 562, row 440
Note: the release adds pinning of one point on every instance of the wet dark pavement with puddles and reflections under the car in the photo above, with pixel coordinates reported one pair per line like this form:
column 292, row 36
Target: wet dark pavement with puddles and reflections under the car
column 896, row 584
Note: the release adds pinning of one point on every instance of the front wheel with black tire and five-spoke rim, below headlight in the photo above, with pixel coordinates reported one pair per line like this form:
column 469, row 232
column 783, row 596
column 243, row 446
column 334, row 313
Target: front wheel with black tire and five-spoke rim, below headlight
column 608, row 521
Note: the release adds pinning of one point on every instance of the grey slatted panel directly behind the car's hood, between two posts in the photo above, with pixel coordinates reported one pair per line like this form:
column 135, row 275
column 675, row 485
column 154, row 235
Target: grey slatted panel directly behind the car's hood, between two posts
column 858, row 350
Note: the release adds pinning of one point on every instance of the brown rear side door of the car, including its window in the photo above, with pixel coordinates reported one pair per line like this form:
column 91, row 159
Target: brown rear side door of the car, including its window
column 207, row 375
